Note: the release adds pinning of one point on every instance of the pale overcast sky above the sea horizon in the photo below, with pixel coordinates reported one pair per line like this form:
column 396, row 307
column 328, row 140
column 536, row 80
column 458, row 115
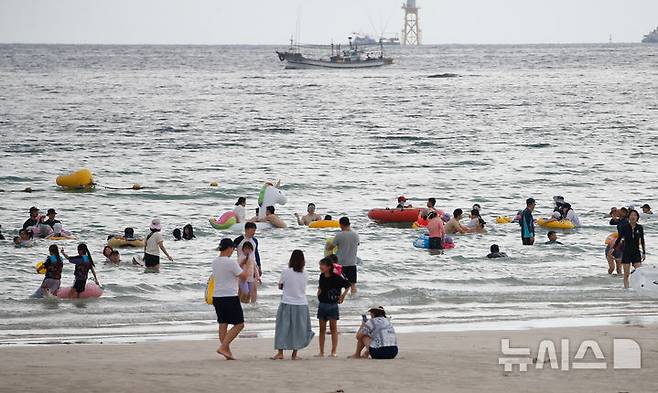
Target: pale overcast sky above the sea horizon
column 320, row 21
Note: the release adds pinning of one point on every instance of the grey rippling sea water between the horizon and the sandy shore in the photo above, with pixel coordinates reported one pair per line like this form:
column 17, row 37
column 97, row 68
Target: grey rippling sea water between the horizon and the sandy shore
column 516, row 121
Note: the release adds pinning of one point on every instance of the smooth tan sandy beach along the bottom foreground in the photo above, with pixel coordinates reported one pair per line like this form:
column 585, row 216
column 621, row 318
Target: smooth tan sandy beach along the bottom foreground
column 447, row 361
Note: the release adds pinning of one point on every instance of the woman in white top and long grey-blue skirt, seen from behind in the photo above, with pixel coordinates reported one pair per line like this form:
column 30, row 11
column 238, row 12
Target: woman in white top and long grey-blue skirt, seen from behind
column 293, row 321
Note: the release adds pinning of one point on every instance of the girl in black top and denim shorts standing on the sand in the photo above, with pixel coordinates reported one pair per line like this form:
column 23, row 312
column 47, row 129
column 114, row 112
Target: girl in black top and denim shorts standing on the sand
column 330, row 296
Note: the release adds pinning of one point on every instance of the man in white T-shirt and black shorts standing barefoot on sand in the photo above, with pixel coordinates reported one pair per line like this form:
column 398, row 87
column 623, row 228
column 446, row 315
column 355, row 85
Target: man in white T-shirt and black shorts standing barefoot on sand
column 227, row 274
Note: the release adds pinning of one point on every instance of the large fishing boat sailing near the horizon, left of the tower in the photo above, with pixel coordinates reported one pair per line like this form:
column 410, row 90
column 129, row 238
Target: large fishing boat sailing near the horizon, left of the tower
column 354, row 57
